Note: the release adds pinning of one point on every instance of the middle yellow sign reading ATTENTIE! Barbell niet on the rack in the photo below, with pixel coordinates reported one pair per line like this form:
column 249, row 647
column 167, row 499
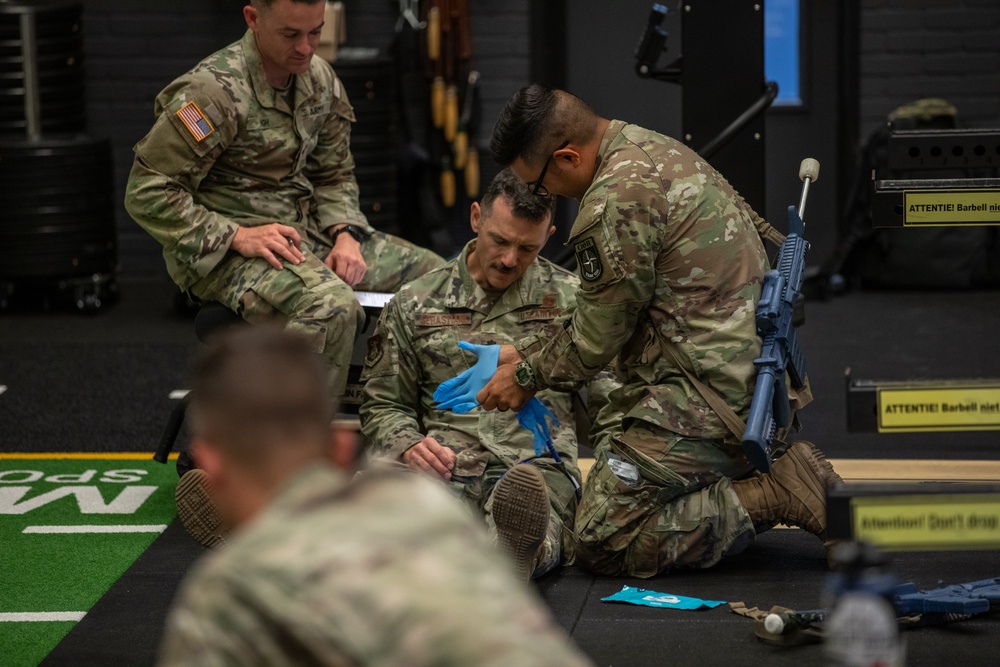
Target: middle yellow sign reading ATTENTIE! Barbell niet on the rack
column 972, row 407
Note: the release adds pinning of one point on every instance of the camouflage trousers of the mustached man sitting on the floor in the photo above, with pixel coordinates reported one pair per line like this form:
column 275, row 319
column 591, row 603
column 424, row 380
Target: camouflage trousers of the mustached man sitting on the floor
column 557, row 547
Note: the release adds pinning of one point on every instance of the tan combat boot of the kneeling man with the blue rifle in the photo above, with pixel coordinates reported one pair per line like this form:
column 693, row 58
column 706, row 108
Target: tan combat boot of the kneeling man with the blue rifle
column 793, row 493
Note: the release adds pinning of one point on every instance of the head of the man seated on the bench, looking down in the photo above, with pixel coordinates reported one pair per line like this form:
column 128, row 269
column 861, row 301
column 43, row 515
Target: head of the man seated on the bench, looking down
column 287, row 34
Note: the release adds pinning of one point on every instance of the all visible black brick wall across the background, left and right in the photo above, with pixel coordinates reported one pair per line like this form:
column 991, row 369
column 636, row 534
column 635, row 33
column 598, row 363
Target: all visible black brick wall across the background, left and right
column 910, row 49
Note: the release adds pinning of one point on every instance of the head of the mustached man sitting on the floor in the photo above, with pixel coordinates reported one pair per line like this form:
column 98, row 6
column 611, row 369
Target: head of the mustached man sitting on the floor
column 511, row 226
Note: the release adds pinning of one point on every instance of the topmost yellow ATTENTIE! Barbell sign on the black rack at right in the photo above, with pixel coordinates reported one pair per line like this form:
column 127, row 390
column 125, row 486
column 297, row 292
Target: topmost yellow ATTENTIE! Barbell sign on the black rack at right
column 951, row 207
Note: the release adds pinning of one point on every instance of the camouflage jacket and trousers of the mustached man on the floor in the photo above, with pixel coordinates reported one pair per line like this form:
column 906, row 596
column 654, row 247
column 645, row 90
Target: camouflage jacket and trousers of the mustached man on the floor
column 415, row 347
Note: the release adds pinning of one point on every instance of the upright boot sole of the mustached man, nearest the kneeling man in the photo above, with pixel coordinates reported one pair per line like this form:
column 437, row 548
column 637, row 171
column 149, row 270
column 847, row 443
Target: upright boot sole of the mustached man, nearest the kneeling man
column 521, row 515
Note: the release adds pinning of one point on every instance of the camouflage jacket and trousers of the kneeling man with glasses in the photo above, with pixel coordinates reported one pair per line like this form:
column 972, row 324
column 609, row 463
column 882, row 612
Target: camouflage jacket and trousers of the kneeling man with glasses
column 669, row 254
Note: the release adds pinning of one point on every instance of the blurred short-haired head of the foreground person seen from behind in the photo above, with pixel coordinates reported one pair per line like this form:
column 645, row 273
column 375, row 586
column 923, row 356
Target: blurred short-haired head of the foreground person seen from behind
column 260, row 412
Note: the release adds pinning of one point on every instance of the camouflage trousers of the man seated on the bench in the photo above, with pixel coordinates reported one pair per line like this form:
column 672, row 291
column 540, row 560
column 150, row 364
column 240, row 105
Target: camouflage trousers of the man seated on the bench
column 309, row 298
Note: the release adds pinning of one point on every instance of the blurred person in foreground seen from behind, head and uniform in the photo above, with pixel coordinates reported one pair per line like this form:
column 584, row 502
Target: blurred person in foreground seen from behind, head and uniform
column 387, row 569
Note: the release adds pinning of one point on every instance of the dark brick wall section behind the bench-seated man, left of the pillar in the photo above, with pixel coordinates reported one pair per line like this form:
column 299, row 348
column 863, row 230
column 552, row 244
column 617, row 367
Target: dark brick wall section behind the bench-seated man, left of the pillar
column 133, row 49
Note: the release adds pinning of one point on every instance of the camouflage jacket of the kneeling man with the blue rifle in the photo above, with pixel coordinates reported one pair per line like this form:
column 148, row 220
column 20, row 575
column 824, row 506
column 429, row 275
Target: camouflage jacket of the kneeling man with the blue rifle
column 669, row 254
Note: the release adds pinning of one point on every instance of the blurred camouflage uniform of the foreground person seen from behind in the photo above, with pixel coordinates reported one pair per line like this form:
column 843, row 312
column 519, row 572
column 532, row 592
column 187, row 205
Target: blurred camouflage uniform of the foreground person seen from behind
column 339, row 573
